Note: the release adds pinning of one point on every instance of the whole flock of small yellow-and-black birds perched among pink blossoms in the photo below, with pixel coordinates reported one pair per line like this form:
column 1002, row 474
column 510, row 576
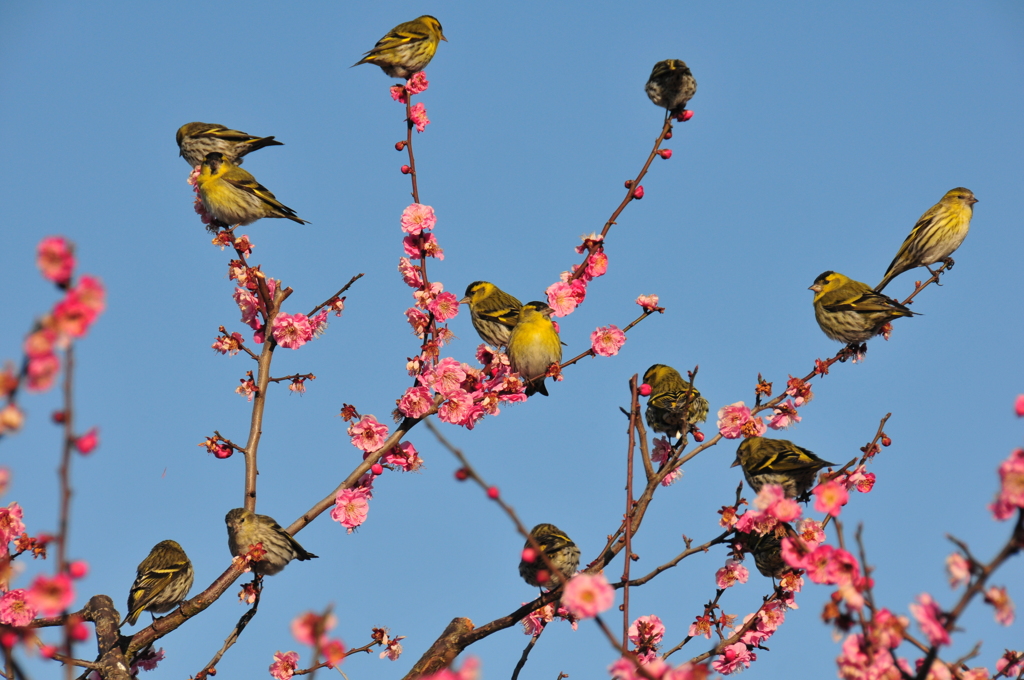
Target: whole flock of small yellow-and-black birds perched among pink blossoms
column 847, row 311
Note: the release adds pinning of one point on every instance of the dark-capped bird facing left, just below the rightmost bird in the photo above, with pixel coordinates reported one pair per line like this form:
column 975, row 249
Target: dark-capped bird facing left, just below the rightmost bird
column 849, row 311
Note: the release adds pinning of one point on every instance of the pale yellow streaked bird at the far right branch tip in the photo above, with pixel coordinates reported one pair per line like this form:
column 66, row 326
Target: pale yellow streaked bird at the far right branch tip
column 936, row 236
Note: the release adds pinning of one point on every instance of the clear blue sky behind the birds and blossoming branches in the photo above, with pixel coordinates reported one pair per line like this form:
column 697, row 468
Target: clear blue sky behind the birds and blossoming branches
column 821, row 134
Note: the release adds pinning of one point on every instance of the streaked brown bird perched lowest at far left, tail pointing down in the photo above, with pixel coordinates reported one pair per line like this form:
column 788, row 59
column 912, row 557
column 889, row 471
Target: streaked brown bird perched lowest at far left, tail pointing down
column 162, row 581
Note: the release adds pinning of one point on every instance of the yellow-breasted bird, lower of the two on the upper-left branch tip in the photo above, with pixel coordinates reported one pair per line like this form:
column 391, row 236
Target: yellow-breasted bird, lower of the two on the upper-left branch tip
column 234, row 197
